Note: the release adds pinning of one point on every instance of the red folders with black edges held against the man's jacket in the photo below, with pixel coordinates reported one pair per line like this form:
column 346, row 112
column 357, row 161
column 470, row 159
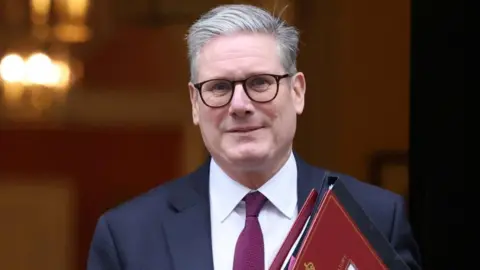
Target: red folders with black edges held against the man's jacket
column 340, row 236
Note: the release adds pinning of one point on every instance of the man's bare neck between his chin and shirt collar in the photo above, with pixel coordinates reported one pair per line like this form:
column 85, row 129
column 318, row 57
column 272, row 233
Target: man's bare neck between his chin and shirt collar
column 257, row 177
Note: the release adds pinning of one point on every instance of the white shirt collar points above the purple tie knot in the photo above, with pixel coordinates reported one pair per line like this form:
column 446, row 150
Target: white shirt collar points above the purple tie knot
column 280, row 190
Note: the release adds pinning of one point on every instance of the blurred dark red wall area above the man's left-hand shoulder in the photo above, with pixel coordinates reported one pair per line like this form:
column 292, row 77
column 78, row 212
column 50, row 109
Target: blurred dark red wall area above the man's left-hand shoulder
column 107, row 164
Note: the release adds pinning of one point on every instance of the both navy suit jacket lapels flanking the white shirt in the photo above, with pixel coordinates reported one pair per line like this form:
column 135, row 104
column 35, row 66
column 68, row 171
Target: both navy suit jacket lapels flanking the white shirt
column 188, row 230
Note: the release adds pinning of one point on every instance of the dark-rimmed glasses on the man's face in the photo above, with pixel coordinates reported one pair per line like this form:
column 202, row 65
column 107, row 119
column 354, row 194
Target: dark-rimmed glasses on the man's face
column 260, row 88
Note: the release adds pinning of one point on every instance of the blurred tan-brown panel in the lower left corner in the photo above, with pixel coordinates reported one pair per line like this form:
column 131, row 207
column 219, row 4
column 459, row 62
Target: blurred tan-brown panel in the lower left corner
column 37, row 224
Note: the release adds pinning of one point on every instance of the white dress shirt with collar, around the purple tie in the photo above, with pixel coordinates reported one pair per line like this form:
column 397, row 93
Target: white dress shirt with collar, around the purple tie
column 228, row 212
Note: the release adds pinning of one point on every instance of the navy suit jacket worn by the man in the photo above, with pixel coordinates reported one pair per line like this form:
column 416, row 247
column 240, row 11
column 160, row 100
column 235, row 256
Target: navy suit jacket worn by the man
column 169, row 226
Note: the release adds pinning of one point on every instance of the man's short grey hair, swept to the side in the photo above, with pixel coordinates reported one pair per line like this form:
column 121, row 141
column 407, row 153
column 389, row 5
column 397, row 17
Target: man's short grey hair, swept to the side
column 229, row 19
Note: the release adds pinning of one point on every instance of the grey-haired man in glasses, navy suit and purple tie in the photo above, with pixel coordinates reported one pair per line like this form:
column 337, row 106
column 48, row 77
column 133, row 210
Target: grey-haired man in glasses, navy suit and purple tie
column 236, row 209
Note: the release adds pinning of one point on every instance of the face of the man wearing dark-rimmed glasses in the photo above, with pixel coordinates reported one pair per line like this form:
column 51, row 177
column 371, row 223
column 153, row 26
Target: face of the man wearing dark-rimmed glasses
column 244, row 133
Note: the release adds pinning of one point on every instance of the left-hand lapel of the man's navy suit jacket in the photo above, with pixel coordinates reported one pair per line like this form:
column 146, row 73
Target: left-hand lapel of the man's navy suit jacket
column 188, row 230
